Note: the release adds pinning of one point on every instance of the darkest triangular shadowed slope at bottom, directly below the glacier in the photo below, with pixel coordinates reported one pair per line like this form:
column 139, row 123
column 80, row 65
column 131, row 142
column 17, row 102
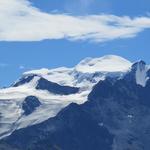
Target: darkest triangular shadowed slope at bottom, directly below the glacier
column 71, row 129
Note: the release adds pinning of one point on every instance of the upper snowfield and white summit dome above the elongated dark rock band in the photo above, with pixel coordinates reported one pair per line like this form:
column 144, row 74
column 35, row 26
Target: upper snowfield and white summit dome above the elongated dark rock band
column 83, row 73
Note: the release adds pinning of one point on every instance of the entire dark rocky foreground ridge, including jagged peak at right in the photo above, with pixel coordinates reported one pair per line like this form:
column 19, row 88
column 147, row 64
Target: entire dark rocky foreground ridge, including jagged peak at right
column 116, row 116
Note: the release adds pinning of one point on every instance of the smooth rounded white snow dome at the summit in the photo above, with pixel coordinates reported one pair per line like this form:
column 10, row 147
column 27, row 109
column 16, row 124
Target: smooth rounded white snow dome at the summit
column 108, row 63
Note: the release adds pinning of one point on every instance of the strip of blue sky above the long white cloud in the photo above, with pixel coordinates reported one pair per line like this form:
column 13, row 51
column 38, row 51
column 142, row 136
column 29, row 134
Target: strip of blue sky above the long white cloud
column 117, row 7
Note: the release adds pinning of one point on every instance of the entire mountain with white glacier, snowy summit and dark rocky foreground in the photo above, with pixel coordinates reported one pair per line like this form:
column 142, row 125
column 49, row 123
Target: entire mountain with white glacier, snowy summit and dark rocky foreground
column 101, row 103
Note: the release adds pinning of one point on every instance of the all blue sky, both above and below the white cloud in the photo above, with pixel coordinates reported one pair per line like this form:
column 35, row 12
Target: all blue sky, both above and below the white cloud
column 19, row 56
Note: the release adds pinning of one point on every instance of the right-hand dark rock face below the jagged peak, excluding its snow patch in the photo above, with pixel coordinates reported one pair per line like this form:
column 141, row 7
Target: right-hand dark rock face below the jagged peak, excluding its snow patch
column 123, row 107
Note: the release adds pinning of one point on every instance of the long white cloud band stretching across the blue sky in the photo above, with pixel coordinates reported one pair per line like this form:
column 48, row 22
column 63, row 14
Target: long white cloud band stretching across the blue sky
column 22, row 22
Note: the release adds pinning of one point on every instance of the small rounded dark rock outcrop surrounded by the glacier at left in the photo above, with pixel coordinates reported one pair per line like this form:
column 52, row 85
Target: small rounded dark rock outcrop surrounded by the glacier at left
column 30, row 104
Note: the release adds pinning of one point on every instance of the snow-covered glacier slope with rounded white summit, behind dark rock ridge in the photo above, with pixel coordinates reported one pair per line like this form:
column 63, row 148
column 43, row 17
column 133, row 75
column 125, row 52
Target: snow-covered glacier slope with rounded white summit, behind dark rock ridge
column 55, row 89
